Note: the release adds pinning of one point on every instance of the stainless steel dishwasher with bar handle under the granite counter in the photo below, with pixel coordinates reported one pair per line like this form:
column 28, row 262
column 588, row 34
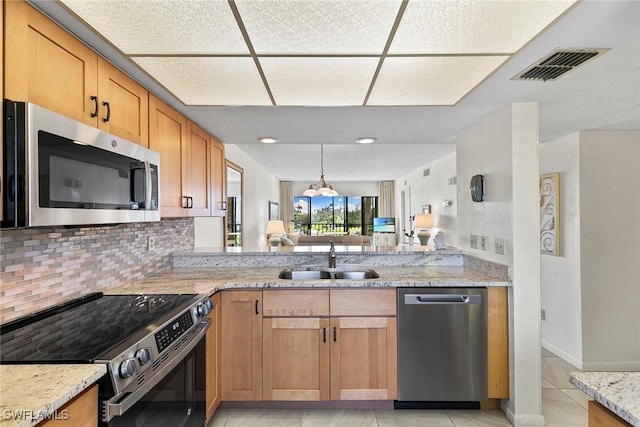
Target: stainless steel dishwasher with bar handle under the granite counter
column 442, row 347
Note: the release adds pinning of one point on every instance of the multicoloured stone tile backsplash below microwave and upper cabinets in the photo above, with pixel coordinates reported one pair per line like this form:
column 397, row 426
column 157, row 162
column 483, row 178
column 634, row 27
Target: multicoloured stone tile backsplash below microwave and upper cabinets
column 42, row 267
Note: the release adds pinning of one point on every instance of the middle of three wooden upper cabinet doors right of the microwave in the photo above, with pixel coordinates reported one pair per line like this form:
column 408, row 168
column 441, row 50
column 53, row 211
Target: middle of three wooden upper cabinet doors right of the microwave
column 198, row 170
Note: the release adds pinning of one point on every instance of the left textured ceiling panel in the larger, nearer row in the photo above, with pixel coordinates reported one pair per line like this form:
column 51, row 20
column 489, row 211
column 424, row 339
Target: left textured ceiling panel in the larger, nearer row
column 164, row 26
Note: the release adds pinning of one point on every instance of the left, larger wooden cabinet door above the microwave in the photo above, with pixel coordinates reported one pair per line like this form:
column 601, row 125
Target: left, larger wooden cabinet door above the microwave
column 46, row 65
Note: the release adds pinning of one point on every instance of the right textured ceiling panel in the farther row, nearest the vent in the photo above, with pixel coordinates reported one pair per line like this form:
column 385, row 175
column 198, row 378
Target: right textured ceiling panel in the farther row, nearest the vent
column 430, row 80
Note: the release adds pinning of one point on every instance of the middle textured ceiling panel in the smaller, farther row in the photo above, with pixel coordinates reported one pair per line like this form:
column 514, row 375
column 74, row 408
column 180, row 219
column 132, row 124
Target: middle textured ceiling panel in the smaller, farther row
column 319, row 81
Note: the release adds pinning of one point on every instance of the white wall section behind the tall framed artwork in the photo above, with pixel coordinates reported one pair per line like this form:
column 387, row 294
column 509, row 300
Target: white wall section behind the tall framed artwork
column 560, row 275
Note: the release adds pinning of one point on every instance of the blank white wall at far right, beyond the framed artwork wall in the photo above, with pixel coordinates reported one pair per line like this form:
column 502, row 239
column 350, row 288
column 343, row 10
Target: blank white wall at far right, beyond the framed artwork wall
column 610, row 249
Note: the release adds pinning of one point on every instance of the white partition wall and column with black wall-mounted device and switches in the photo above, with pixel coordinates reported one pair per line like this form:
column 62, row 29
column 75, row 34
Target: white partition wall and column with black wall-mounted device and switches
column 504, row 148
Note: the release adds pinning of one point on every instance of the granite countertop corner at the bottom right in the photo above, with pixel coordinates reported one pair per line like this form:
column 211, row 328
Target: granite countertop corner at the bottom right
column 617, row 391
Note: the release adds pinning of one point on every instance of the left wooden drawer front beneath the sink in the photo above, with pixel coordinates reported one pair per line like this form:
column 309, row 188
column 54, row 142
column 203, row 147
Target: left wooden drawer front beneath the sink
column 295, row 302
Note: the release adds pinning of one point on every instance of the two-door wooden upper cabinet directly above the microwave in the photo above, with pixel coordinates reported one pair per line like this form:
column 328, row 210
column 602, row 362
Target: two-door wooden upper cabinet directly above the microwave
column 46, row 65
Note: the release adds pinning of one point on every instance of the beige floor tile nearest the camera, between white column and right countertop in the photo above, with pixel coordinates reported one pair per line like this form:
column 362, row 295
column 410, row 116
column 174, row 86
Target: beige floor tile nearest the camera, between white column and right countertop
column 561, row 410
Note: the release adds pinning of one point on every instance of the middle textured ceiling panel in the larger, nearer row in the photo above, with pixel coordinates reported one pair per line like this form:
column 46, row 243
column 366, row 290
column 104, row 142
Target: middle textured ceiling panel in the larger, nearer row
column 313, row 26
